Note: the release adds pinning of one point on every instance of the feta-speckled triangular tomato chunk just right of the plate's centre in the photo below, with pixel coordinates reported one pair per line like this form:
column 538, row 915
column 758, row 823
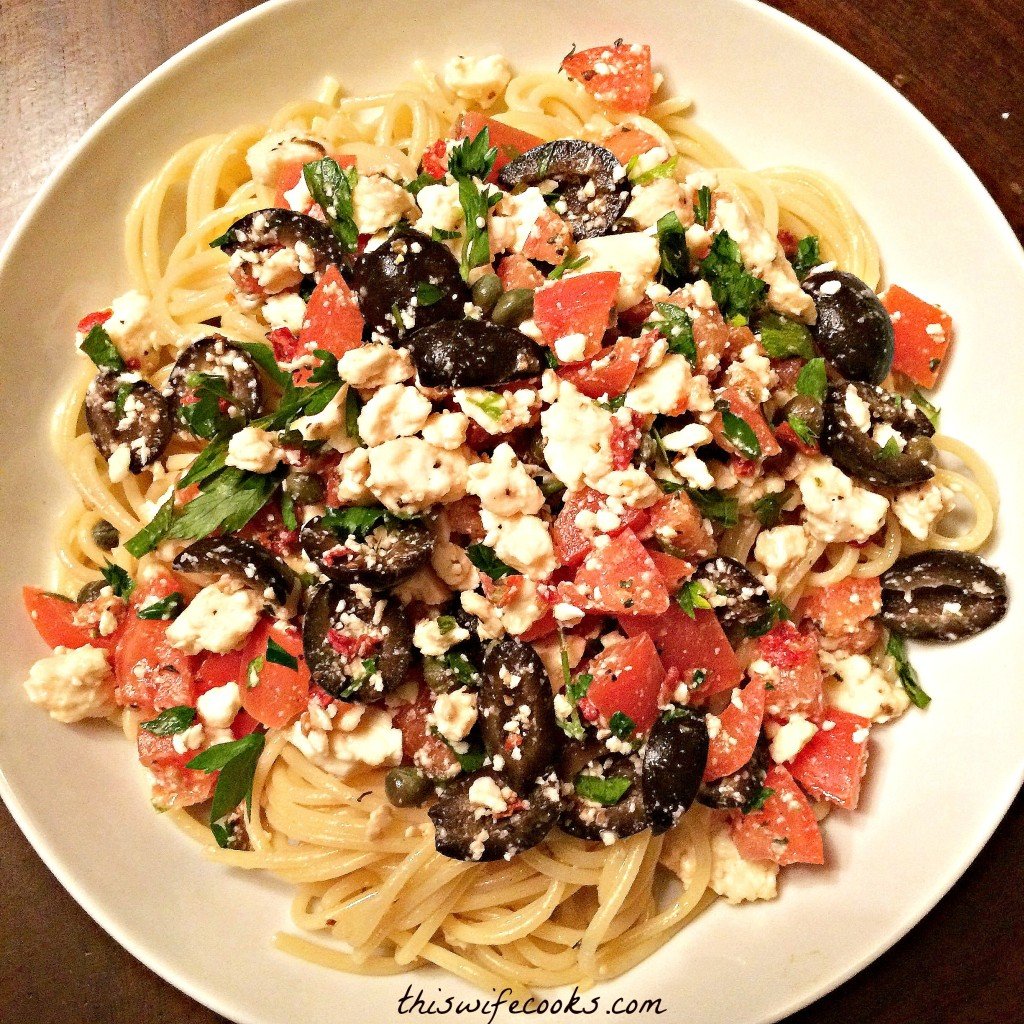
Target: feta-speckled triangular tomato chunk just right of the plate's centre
column 620, row 579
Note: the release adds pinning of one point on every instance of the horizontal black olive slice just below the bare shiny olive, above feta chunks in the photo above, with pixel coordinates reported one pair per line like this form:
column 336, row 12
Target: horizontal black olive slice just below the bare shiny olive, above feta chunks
column 474, row 354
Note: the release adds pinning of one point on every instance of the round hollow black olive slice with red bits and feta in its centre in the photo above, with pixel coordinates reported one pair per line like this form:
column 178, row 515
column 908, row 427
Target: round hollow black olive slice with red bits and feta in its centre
column 358, row 648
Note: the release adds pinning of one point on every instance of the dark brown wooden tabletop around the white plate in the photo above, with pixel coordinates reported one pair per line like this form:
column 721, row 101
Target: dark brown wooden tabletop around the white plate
column 63, row 63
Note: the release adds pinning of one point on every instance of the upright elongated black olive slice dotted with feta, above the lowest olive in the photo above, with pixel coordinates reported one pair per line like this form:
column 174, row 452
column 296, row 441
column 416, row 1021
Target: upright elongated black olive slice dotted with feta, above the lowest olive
column 517, row 694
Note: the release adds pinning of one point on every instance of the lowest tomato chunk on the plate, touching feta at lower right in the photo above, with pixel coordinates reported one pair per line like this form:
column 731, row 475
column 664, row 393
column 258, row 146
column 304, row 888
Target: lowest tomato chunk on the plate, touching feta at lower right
column 785, row 830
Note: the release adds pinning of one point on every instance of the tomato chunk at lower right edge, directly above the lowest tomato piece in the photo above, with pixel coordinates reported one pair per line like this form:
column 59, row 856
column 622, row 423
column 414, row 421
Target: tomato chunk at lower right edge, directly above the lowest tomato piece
column 832, row 764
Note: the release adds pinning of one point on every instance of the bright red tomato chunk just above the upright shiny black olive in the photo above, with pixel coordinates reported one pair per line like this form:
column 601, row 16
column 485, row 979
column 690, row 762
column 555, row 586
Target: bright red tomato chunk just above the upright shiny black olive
column 628, row 678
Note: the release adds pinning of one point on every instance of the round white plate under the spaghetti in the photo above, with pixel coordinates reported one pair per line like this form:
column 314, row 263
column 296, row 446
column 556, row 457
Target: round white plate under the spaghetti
column 775, row 93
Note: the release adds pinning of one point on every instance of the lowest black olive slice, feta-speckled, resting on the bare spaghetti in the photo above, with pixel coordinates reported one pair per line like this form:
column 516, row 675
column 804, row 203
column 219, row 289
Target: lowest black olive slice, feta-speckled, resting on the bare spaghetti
column 462, row 833
